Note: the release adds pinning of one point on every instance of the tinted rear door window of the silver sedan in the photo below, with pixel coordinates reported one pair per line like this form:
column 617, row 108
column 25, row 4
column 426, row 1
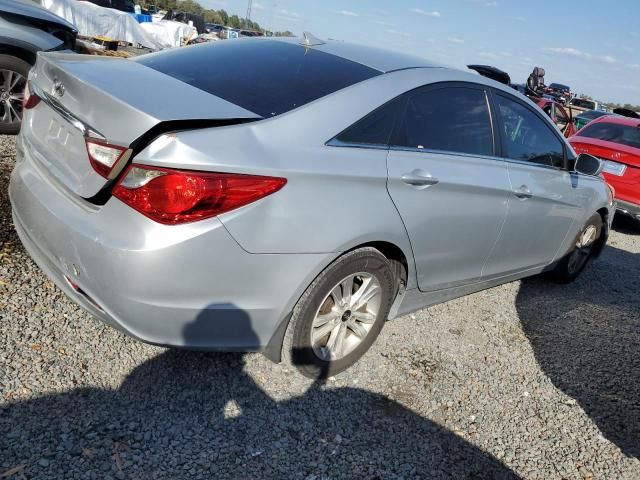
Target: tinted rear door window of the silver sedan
column 451, row 119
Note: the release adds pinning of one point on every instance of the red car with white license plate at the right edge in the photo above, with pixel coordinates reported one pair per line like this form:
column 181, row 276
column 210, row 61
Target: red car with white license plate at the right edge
column 616, row 140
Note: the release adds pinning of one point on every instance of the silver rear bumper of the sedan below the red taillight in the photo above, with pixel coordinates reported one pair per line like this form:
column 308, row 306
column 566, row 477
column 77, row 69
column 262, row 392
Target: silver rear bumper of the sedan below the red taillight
column 188, row 286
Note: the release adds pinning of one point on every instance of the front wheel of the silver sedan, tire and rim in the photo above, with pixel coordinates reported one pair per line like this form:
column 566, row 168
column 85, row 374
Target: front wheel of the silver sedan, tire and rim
column 570, row 267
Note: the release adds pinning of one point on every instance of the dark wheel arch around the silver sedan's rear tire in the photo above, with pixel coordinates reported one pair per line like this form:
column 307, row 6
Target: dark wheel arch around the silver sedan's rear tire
column 402, row 266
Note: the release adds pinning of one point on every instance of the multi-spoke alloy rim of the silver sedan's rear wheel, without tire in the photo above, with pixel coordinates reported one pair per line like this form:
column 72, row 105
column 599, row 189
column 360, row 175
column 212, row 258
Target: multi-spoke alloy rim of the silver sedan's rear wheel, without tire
column 346, row 316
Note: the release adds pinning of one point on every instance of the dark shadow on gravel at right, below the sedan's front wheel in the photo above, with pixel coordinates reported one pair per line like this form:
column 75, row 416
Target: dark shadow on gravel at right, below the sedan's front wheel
column 586, row 338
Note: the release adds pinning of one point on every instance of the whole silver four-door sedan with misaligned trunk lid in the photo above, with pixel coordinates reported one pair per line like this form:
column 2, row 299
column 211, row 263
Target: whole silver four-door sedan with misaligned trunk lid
column 293, row 200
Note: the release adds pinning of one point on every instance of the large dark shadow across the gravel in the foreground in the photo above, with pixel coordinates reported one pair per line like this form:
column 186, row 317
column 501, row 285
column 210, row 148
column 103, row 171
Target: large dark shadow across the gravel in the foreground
column 188, row 414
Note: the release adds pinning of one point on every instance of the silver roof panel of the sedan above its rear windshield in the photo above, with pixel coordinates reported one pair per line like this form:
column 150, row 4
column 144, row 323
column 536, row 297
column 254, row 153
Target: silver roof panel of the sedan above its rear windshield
column 373, row 57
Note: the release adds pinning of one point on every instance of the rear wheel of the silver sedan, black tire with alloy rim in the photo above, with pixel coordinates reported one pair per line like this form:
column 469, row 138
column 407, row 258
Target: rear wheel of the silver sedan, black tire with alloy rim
column 340, row 314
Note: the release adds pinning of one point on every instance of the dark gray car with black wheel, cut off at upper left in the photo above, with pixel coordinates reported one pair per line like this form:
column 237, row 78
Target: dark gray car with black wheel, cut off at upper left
column 25, row 29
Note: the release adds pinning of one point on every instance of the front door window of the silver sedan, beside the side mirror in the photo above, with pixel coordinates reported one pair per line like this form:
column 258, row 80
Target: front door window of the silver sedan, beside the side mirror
column 527, row 137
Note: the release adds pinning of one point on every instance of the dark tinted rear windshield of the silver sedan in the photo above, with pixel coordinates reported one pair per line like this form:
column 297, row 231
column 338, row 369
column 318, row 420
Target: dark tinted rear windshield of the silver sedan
column 263, row 76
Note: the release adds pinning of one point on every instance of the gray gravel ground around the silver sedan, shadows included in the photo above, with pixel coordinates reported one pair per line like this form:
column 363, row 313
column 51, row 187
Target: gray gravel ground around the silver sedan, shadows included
column 527, row 380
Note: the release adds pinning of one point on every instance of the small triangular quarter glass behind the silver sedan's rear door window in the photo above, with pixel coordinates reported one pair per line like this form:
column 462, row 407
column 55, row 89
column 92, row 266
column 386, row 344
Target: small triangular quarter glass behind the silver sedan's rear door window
column 374, row 129
